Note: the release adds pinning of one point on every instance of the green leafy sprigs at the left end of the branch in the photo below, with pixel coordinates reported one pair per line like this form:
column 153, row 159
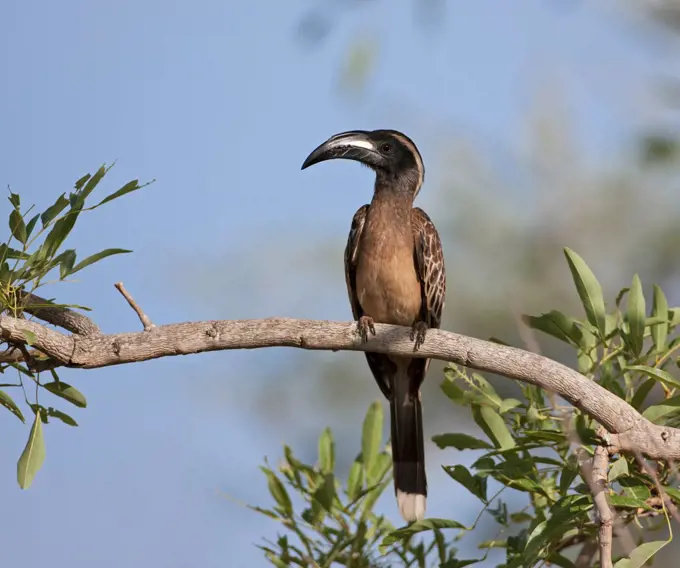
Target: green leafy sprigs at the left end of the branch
column 34, row 253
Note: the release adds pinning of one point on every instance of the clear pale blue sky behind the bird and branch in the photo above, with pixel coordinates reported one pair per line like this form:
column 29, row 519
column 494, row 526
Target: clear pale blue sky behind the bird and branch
column 220, row 104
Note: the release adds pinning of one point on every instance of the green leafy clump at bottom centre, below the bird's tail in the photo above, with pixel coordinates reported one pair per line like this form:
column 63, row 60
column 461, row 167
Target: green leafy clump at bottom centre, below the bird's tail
column 337, row 523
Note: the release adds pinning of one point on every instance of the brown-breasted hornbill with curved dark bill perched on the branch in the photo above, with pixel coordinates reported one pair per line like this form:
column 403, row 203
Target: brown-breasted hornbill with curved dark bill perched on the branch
column 395, row 274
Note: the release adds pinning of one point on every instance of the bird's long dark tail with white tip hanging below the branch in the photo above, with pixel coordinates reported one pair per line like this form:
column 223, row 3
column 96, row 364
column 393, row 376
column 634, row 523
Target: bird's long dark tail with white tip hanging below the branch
column 408, row 448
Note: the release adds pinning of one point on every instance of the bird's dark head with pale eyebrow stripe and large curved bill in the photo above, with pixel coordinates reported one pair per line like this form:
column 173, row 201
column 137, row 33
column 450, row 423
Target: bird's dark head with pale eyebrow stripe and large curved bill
column 392, row 155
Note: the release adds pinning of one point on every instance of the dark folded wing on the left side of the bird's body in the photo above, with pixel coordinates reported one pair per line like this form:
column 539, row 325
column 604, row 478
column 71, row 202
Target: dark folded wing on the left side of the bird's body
column 380, row 365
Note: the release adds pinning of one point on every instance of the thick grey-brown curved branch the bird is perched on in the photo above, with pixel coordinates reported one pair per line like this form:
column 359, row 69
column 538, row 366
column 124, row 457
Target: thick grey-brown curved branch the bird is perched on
column 628, row 430
